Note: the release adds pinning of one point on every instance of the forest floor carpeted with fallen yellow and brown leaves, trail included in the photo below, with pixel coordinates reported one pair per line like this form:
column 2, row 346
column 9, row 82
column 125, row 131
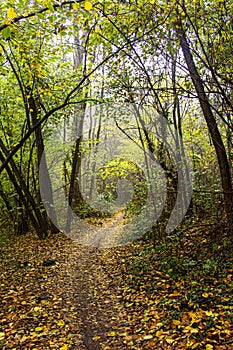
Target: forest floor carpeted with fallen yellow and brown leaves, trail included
column 57, row 294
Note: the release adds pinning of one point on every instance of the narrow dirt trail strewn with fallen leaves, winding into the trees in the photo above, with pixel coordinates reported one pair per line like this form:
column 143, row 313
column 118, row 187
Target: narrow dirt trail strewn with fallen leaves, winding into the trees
column 95, row 291
